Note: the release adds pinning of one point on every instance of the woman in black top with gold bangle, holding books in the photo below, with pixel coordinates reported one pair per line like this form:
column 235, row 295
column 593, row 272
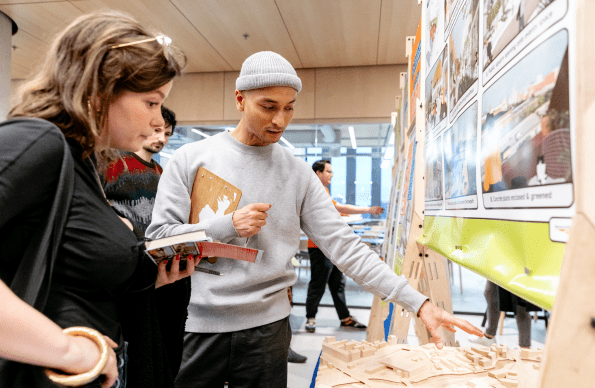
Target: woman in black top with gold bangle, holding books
column 67, row 259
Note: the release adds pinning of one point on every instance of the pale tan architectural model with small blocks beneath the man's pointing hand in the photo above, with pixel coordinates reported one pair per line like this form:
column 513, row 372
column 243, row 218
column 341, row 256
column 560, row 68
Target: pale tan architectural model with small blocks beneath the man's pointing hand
column 389, row 364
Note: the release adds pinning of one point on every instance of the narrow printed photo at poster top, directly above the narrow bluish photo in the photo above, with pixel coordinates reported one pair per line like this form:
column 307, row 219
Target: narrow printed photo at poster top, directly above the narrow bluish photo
column 464, row 52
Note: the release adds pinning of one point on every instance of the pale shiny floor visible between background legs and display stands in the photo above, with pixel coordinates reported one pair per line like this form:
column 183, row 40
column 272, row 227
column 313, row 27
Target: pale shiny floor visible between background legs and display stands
column 310, row 344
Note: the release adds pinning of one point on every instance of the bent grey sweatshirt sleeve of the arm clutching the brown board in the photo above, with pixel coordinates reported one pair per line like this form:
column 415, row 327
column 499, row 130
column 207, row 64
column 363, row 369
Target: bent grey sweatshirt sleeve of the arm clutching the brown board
column 172, row 205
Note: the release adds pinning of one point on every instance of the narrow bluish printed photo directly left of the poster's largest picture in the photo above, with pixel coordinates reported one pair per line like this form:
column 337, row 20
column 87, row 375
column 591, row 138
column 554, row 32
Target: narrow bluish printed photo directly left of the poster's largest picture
column 460, row 144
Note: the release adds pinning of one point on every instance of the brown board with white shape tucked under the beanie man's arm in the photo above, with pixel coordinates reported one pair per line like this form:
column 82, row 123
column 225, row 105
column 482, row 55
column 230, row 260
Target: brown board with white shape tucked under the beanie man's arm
column 212, row 196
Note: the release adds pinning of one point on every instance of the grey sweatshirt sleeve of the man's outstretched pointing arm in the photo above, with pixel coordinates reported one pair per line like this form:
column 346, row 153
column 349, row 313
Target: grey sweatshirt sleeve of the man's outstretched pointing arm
column 323, row 224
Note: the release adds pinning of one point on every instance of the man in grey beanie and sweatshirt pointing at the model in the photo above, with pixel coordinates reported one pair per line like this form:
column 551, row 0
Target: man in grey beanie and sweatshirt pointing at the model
column 238, row 327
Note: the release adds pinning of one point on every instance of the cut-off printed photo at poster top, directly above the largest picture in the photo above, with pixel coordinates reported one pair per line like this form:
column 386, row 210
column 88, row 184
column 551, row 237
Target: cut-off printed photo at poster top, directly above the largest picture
column 514, row 21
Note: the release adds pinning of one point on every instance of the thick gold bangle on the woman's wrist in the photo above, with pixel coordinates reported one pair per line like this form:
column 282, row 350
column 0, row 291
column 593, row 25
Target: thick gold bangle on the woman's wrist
column 87, row 377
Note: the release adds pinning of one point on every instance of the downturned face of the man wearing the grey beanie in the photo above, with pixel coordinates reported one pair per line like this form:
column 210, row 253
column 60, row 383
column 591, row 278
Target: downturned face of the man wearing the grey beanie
column 267, row 112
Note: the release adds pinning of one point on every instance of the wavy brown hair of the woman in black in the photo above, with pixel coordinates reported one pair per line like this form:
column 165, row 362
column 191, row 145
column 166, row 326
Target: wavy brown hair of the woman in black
column 83, row 72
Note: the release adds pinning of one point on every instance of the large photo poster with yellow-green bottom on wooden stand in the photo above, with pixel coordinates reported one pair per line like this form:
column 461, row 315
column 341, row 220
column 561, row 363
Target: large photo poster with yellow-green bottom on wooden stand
column 507, row 146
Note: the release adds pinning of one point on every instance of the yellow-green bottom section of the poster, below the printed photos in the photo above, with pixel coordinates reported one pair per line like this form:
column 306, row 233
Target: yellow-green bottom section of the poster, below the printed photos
column 518, row 256
